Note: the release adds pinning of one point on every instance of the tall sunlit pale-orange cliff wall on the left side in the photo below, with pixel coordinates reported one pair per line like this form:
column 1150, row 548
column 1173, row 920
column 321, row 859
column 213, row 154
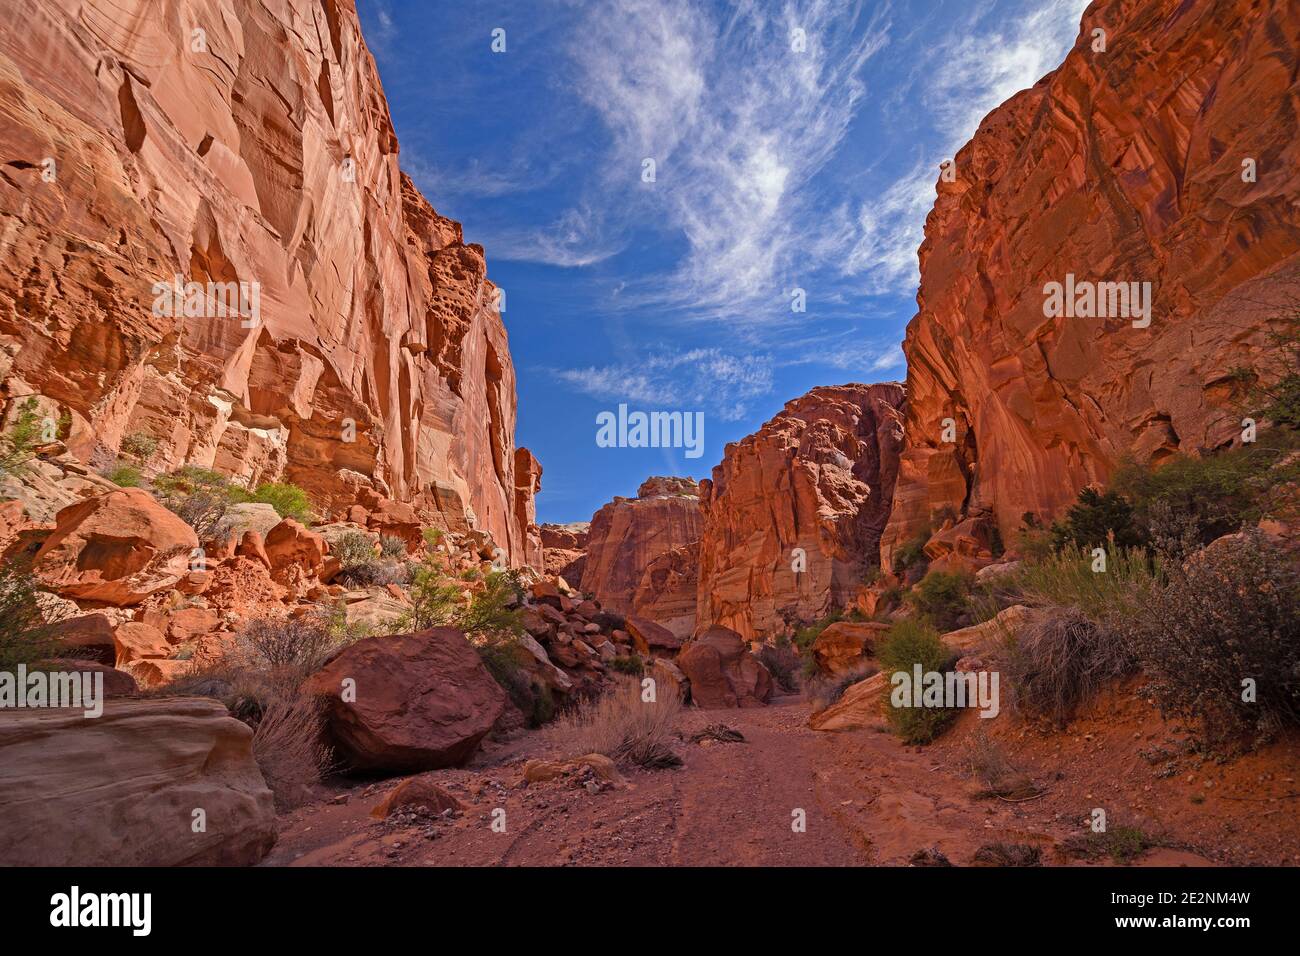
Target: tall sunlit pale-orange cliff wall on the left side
column 361, row 345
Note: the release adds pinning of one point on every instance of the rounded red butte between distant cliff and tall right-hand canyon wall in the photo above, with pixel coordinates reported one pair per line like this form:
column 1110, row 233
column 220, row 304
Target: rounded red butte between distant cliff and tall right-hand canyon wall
column 817, row 478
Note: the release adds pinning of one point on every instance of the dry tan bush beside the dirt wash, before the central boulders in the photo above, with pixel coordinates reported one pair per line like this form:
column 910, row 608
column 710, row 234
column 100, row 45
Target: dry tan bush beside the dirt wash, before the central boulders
column 625, row 728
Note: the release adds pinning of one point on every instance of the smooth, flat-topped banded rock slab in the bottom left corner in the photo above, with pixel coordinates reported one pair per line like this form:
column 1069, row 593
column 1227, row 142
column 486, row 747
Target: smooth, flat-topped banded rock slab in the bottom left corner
column 122, row 790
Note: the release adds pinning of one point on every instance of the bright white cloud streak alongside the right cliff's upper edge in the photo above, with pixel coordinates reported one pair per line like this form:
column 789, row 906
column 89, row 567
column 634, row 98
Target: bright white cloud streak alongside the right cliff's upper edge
column 967, row 75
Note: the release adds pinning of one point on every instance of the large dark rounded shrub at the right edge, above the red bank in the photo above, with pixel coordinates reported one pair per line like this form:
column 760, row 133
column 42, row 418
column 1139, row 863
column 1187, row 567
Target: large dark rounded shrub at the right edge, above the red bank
column 1227, row 616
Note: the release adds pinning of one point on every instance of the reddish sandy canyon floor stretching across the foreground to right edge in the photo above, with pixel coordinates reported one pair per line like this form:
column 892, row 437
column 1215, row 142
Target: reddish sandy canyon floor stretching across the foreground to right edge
column 868, row 801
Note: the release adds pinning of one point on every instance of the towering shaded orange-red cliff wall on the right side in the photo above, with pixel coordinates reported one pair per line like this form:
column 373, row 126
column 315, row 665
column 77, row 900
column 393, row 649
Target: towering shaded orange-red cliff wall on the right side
column 1152, row 162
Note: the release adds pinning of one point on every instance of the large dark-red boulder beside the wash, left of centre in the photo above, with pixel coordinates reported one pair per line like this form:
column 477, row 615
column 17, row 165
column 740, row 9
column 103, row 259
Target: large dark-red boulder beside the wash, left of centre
column 410, row 702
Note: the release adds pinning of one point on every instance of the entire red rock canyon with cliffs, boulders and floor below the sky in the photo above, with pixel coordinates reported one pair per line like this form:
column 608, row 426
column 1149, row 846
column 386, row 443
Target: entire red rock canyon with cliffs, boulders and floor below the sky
column 250, row 146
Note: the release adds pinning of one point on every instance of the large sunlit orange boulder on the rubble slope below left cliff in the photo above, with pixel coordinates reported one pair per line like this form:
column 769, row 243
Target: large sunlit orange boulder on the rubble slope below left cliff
column 116, row 548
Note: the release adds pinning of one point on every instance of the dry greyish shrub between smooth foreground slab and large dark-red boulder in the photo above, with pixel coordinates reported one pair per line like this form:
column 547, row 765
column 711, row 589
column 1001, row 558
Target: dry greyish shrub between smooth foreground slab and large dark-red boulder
column 288, row 746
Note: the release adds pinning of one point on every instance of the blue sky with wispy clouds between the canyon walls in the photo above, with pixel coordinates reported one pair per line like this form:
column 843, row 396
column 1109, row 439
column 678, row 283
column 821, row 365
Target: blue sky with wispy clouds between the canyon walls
column 775, row 170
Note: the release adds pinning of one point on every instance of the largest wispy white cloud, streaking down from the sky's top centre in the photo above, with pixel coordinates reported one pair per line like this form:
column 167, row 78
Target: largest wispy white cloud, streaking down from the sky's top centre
column 736, row 123
